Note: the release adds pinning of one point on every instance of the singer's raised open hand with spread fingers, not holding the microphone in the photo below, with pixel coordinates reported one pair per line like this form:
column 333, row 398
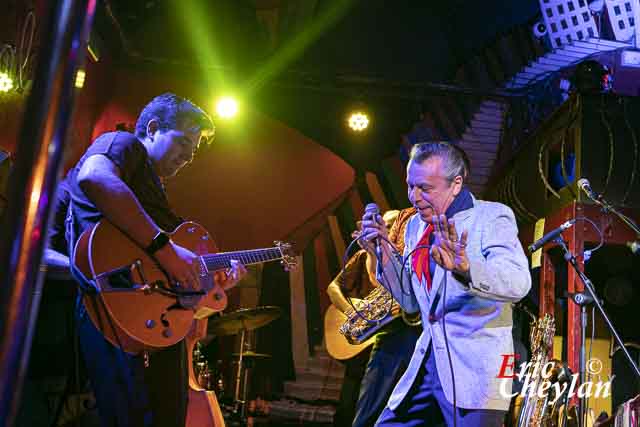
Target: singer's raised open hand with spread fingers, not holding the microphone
column 447, row 250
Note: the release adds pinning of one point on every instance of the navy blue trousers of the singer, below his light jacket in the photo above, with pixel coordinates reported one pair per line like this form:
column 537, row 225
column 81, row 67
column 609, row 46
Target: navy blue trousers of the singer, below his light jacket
column 426, row 405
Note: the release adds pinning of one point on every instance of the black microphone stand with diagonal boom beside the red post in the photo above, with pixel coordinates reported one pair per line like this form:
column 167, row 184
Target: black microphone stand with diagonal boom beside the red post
column 588, row 285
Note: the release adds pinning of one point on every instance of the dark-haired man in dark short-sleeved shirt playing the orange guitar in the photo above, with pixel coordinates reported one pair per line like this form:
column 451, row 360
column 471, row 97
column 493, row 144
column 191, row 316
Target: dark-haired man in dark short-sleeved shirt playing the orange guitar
column 120, row 177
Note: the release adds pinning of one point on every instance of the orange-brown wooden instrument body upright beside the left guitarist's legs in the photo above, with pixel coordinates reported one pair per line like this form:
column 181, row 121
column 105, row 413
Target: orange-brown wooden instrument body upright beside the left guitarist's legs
column 203, row 409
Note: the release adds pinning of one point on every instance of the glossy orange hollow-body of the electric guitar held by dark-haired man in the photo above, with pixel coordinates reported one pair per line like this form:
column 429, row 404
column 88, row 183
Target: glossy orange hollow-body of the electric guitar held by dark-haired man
column 127, row 309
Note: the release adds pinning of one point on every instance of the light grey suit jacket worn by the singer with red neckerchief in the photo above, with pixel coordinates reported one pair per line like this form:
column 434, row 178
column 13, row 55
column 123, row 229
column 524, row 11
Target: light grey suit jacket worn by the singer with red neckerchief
column 478, row 313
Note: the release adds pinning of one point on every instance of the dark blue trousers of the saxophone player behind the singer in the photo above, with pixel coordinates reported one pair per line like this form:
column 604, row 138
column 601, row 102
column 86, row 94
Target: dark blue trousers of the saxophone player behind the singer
column 389, row 359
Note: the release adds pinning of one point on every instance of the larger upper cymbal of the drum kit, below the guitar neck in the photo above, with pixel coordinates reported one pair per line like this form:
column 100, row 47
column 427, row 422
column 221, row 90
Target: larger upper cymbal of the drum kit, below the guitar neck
column 245, row 318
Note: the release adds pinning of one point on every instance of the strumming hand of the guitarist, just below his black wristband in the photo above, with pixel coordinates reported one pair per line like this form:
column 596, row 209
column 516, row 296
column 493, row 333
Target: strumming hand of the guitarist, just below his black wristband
column 181, row 264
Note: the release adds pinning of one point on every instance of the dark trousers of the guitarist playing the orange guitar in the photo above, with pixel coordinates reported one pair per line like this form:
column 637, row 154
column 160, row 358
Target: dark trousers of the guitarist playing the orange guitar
column 127, row 393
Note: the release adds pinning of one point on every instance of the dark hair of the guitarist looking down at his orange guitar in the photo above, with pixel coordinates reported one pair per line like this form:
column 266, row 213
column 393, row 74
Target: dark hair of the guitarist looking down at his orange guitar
column 170, row 110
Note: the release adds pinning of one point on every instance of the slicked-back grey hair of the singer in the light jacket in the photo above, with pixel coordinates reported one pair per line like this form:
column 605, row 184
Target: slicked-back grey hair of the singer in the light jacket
column 454, row 160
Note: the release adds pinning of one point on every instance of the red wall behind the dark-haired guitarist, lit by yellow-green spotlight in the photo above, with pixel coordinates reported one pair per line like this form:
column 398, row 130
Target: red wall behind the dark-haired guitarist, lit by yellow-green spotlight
column 259, row 181
